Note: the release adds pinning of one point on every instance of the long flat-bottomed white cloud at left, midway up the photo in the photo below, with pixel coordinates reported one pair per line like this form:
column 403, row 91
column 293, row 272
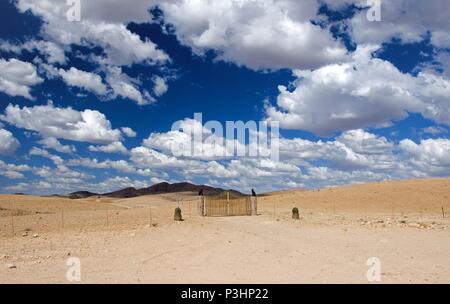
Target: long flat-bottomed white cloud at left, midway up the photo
column 66, row 123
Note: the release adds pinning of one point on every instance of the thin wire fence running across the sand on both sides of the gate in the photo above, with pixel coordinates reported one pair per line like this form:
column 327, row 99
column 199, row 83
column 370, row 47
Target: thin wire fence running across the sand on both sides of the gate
column 113, row 217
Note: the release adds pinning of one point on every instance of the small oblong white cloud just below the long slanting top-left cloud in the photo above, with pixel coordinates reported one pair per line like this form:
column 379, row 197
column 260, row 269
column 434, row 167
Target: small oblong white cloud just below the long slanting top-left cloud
column 84, row 80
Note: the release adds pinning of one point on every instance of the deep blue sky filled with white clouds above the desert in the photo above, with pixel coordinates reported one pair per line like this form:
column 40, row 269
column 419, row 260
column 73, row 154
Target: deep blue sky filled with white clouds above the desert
column 88, row 105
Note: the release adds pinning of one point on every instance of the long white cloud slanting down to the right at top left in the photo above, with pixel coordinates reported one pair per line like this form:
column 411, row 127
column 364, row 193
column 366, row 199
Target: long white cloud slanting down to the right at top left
column 93, row 29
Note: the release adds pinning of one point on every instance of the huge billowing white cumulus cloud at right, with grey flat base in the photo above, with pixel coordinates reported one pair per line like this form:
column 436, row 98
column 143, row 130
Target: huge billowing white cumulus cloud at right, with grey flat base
column 364, row 92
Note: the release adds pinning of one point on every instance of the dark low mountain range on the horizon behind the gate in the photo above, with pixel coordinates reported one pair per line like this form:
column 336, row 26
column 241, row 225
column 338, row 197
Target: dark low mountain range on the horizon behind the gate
column 156, row 189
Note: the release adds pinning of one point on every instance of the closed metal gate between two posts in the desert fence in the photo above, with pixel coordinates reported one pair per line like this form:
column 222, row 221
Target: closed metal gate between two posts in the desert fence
column 227, row 207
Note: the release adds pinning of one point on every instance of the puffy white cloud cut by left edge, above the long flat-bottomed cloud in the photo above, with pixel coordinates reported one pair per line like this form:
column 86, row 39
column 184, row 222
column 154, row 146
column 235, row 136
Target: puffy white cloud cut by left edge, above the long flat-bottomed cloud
column 17, row 77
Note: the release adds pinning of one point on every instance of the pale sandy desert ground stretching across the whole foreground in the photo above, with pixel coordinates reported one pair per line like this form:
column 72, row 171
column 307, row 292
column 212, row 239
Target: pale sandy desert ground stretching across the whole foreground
column 136, row 241
